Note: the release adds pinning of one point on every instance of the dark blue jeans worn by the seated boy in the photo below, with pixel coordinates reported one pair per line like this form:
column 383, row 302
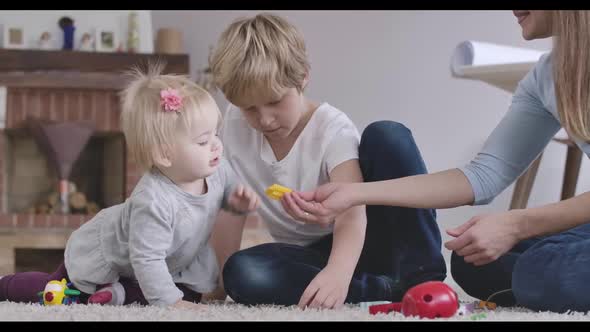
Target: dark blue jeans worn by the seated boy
column 402, row 246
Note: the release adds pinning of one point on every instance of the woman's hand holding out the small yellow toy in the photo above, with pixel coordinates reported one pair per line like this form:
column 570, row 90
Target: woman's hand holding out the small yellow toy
column 320, row 206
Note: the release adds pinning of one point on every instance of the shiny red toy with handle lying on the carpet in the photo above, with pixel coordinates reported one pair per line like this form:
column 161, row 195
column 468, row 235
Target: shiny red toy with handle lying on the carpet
column 432, row 299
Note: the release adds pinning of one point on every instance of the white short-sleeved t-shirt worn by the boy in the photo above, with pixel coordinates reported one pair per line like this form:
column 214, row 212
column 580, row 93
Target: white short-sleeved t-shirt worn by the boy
column 329, row 139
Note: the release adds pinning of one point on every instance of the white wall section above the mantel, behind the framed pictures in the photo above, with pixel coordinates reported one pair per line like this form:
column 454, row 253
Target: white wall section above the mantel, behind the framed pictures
column 36, row 22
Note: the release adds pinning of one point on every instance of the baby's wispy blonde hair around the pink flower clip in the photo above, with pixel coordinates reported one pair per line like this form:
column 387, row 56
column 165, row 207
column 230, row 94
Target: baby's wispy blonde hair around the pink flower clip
column 147, row 127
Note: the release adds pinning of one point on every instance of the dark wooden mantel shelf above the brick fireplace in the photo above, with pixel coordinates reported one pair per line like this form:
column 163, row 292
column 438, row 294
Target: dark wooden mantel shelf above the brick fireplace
column 59, row 60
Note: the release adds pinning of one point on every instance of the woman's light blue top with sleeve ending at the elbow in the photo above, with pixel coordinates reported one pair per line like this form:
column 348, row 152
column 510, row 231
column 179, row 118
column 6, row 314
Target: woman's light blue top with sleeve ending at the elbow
column 522, row 134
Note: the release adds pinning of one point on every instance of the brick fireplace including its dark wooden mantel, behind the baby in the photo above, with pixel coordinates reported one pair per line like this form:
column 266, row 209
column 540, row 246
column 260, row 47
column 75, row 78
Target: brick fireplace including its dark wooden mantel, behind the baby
column 61, row 86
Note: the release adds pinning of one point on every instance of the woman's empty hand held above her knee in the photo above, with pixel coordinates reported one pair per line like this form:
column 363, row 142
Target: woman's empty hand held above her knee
column 484, row 238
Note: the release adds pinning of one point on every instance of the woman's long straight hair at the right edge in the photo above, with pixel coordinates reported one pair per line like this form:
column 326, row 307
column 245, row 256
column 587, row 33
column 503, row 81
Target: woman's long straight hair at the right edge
column 571, row 70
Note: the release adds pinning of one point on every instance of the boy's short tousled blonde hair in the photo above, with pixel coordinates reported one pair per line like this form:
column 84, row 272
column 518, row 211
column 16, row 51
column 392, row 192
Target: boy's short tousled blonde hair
column 258, row 57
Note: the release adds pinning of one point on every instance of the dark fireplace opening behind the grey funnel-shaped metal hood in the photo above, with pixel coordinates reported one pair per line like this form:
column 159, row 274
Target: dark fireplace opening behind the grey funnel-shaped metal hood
column 97, row 179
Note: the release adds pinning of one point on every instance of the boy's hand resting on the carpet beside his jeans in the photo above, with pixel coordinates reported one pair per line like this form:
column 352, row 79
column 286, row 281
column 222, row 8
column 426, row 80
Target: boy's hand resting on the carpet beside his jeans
column 327, row 290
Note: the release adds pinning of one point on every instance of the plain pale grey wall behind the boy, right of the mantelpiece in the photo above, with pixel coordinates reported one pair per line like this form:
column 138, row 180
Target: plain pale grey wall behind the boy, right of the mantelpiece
column 395, row 65
